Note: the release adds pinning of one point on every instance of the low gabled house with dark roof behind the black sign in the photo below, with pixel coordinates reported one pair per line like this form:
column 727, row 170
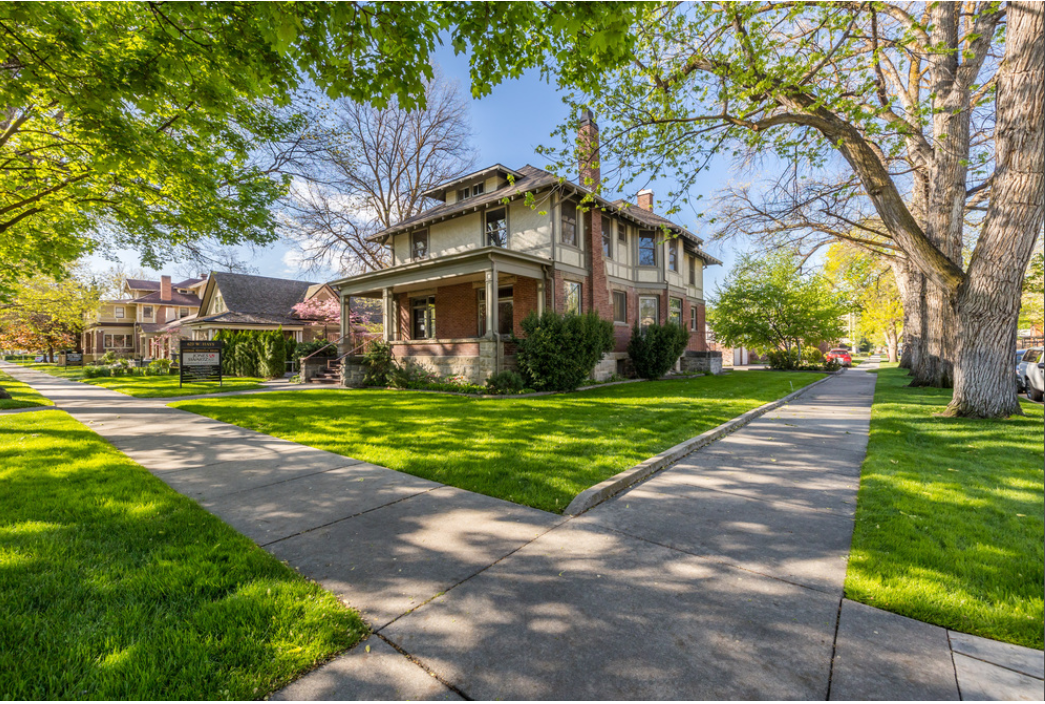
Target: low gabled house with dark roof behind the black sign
column 246, row 302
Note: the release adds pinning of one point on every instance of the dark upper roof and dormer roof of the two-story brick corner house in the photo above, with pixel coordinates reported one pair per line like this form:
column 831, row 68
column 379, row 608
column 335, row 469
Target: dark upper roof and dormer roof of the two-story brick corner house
column 531, row 179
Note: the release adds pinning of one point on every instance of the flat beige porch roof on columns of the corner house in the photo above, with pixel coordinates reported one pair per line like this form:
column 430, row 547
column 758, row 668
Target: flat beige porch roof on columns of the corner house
column 474, row 262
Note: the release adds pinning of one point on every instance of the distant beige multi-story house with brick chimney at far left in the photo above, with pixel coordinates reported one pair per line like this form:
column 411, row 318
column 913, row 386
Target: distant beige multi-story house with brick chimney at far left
column 133, row 326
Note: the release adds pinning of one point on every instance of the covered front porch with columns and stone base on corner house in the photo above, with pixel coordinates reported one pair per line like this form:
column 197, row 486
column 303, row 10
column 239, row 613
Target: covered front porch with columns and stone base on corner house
column 455, row 315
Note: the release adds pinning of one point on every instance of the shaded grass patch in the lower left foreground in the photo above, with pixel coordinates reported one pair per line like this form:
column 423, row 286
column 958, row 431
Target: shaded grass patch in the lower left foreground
column 113, row 586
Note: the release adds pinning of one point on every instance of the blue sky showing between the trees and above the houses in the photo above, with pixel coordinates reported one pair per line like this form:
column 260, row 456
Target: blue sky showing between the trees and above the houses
column 507, row 127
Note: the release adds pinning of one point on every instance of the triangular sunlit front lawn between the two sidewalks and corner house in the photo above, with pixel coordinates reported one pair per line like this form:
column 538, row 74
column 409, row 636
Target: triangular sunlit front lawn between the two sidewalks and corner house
column 539, row 452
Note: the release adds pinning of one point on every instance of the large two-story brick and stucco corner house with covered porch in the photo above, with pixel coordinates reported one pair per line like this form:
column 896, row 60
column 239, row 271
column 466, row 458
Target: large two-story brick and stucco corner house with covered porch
column 466, row 273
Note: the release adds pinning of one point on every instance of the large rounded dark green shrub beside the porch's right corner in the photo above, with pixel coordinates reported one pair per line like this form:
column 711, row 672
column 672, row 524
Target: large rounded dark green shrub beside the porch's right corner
column 561, row 351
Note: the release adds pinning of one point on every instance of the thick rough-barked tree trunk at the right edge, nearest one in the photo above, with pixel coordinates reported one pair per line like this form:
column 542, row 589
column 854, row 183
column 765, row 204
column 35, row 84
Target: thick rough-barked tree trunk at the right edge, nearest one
column 989, row 301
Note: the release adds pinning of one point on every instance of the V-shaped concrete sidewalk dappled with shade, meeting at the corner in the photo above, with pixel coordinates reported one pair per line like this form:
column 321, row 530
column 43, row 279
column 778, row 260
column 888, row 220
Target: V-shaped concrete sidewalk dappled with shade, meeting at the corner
column 719, row 578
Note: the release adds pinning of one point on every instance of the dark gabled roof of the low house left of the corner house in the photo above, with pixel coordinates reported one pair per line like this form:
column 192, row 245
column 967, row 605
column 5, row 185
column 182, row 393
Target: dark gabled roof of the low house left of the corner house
column 260, row 300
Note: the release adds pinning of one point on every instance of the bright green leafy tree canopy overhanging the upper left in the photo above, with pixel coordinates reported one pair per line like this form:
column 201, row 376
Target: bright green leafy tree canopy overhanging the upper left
column 138, row 125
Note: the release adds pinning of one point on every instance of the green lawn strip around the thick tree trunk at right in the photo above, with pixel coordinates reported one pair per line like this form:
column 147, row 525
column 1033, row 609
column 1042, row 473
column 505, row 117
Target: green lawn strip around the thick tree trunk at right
column 949, row 523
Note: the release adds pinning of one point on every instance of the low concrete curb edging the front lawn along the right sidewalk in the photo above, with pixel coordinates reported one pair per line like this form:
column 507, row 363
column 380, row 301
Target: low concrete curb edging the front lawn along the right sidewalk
column 606, row 490
